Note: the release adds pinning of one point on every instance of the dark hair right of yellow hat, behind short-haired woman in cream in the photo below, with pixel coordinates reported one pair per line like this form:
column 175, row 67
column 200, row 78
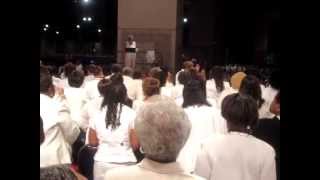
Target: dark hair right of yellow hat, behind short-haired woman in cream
column 250, row 86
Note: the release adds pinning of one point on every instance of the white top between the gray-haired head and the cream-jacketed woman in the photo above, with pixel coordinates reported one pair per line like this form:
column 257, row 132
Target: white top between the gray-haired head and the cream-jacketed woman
column 205, row 121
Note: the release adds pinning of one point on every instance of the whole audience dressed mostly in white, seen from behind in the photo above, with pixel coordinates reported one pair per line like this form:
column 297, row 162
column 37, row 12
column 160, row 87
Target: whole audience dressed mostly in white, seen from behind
column 149, row 124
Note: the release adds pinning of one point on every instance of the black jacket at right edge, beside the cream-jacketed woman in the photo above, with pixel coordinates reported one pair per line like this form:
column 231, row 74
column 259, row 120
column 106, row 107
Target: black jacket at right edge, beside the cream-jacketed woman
column 268, row 130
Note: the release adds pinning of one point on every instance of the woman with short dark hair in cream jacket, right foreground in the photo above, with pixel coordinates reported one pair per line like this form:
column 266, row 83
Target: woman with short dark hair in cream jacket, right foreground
column 237, row 155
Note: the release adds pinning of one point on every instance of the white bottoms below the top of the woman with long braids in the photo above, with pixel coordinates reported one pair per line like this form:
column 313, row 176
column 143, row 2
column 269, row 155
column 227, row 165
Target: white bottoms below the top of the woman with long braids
column 100, row 168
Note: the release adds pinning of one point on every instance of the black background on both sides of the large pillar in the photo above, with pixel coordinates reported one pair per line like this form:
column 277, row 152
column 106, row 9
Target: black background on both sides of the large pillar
column 217, row 32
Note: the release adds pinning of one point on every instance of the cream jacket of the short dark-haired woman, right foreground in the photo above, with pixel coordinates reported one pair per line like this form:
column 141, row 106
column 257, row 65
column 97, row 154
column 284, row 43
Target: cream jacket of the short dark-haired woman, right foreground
column 236, row 156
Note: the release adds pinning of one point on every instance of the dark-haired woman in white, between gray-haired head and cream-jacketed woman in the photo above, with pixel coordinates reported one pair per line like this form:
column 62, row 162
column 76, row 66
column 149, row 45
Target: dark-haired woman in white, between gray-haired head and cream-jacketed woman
column 204, row 120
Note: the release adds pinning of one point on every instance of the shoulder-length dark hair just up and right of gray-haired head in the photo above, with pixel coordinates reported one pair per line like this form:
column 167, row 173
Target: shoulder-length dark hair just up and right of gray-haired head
column 193, row 94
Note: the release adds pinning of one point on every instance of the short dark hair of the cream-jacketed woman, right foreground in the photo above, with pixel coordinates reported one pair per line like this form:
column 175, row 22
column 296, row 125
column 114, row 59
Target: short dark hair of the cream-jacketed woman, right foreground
column 240, row 112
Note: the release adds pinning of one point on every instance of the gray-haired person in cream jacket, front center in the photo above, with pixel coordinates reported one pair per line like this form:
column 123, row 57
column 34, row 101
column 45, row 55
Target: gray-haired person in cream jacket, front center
column 162, row 129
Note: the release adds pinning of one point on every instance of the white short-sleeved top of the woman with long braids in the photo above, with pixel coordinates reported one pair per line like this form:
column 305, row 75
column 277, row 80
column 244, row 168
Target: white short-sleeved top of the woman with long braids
column 114, row 146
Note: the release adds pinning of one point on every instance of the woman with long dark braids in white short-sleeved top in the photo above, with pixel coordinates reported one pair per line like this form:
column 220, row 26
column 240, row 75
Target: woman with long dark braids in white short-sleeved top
column 110, row 131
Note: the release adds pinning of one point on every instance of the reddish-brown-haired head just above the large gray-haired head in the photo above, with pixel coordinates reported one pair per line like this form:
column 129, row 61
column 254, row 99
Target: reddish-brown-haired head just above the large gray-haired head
column 150, row 86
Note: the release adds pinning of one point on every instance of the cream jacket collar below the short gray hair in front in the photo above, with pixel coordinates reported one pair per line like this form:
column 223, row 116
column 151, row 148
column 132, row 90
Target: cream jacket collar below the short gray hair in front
column 162, row 168
